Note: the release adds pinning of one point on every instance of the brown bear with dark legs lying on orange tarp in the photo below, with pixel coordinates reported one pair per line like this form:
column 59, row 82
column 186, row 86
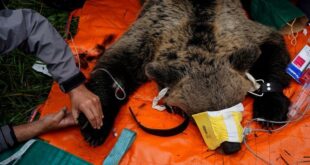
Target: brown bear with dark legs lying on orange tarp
column 201, row 50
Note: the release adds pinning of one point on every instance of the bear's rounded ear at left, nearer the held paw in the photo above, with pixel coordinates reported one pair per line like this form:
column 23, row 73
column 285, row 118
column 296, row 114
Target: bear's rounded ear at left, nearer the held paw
column 162, row 74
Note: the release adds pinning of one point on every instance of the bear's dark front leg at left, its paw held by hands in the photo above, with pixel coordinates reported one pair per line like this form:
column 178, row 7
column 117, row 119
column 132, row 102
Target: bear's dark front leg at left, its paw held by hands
column 117, row 74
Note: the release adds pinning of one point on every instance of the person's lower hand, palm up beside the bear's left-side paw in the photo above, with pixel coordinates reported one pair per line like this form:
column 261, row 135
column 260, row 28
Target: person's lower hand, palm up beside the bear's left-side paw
column 58, row 120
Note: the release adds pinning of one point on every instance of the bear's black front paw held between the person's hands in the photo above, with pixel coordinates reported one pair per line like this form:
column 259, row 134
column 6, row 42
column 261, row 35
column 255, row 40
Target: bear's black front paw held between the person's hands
column 94, row 137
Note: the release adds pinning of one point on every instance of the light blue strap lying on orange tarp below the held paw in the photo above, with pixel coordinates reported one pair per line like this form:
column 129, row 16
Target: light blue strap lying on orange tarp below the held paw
column 122, row 145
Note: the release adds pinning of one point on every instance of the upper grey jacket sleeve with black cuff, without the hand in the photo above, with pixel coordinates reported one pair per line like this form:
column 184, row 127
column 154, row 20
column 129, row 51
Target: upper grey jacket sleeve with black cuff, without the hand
column 28, row 26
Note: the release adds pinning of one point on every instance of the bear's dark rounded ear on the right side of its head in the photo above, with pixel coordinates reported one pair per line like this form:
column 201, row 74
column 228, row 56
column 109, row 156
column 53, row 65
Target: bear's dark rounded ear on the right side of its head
column 244, row 58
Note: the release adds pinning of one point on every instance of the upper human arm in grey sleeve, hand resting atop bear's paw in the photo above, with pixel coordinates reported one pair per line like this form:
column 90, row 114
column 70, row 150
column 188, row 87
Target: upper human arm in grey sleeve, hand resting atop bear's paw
column 29, row 27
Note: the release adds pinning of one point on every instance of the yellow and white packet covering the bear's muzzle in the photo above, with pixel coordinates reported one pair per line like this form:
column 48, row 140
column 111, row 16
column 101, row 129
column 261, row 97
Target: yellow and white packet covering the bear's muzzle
column 217, row 127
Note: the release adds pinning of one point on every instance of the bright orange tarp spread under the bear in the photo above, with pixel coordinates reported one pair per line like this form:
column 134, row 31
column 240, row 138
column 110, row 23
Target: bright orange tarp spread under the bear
column 98, row 19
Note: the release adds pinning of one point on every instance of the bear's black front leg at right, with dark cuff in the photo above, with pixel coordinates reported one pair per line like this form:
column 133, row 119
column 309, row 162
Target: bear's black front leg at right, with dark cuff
column 270, row 67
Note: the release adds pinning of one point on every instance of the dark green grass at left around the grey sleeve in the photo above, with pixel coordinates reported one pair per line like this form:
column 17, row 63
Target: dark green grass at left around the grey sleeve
column 21, row 88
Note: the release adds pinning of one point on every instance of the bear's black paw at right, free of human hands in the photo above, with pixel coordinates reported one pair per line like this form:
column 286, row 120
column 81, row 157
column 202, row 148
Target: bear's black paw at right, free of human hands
column 272, row 106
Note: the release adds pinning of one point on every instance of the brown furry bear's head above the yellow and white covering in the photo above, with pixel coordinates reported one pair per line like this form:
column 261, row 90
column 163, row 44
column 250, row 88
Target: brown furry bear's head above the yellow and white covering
column 198, row 88
